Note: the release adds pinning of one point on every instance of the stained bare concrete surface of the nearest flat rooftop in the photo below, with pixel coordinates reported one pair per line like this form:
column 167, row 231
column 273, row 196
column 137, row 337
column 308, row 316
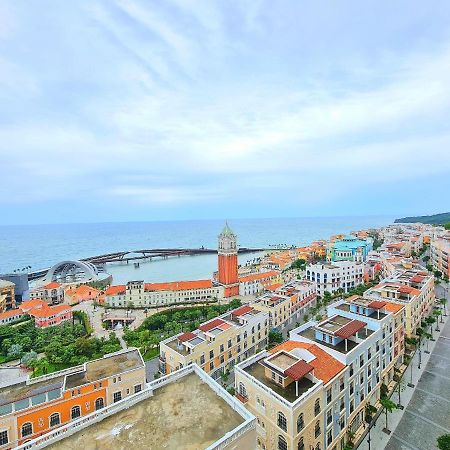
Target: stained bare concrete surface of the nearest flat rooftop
column 185, row 414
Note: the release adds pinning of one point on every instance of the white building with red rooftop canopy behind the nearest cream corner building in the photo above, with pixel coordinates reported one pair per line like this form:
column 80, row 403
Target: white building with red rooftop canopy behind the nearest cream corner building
column 361, row 337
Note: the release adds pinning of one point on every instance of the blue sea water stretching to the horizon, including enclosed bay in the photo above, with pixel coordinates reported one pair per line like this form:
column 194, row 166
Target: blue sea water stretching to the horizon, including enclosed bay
column 41, row 246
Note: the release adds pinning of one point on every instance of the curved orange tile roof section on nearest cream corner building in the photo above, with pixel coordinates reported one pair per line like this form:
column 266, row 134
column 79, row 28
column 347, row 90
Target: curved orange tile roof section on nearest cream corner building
column 325, row 366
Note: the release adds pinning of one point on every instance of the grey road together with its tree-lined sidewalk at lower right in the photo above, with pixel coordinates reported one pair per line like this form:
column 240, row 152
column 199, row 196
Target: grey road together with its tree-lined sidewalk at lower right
column 427, row 405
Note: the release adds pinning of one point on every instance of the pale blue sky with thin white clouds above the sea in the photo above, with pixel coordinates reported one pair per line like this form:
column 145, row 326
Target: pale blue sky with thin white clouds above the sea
column 128, row 110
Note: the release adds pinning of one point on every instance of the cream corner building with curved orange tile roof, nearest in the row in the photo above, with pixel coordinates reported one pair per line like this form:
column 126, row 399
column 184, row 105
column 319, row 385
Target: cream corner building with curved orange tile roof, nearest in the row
column 285, row 390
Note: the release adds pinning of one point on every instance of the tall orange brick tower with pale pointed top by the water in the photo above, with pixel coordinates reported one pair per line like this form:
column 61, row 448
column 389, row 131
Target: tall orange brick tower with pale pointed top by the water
column 228, row 262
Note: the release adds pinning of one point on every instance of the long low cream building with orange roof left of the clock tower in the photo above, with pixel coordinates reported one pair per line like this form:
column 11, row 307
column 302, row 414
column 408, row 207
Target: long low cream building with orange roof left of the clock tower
column 142, row 295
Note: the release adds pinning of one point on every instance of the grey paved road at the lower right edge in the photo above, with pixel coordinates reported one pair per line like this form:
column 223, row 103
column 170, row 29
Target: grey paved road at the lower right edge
column 428, row 414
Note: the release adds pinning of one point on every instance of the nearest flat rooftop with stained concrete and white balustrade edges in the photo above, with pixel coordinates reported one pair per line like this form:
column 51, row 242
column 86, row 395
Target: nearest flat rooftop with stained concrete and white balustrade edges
column 186, row 409
